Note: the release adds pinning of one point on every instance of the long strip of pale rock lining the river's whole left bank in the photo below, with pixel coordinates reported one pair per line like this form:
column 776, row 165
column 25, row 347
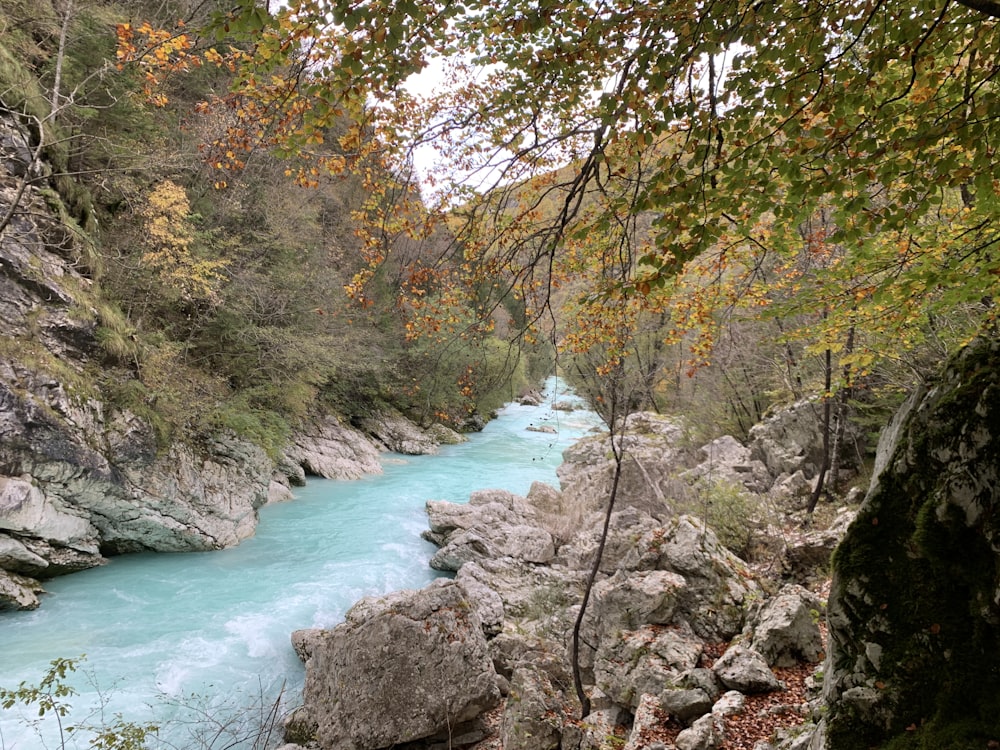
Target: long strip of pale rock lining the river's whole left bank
column 81, row 484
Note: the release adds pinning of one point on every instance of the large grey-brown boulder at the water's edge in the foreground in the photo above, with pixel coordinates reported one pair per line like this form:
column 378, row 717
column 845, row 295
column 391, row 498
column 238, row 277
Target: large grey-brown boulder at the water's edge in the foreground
column 400, row 668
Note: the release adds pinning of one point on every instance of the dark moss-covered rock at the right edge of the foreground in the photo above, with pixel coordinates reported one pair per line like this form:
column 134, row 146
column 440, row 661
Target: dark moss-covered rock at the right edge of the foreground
column 915, row 606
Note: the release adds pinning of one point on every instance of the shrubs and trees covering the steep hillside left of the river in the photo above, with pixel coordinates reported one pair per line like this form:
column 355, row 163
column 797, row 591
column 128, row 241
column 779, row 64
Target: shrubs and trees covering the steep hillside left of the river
column 220, row 308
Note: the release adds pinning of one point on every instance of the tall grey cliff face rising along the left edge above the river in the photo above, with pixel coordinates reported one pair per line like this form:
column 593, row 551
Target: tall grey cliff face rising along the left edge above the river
column 79, row 478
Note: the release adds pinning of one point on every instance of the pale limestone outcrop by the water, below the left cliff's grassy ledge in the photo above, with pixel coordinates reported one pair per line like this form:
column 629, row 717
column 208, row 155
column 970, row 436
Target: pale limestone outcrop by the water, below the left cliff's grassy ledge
column 67, row 495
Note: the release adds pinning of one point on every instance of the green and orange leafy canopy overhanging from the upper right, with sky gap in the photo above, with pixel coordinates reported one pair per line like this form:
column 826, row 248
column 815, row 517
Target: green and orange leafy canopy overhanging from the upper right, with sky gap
column 835, row 161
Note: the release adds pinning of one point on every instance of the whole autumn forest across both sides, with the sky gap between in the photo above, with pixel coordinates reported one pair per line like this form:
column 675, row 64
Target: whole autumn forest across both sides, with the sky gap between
column 713, row 207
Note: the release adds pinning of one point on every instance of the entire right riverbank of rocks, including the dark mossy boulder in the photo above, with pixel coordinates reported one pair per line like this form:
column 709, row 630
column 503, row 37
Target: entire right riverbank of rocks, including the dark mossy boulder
column 681, row 638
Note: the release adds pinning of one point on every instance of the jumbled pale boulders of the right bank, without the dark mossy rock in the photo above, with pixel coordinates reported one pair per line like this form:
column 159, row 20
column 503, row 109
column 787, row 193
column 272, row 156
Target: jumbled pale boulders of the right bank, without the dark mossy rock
column 678, row 635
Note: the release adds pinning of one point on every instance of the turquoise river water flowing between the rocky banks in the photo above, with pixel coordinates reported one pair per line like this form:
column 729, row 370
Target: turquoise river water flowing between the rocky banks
column 167, row 635
